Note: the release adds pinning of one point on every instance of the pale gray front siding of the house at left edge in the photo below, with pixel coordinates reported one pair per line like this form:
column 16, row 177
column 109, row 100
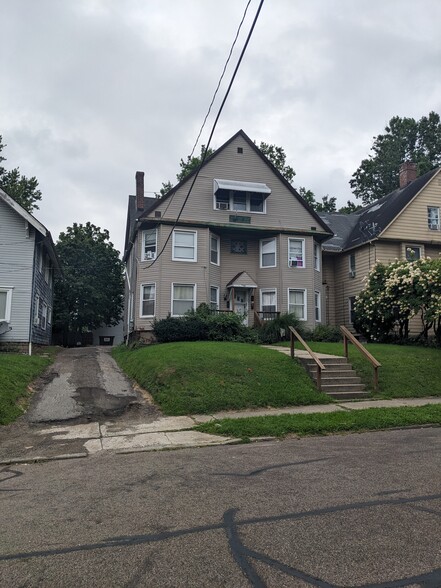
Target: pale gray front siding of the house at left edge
column 16, row 266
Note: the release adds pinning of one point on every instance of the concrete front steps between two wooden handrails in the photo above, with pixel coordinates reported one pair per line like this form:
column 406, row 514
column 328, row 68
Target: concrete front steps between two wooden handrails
column 339, row 379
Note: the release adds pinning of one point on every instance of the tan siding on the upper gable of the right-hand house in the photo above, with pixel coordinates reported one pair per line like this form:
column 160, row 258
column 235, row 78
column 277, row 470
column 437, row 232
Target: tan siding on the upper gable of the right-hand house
column 411, row 224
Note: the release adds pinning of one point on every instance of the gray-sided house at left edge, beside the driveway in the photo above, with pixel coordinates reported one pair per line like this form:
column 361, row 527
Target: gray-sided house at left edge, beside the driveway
column 28, row 262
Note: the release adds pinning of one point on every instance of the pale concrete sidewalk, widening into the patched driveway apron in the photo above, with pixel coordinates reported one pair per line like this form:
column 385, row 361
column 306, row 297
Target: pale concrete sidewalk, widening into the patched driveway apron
column 82, row 440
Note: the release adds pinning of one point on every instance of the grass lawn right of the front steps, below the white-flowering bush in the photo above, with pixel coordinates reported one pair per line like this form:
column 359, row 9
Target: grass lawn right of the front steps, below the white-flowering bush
column 406, row 371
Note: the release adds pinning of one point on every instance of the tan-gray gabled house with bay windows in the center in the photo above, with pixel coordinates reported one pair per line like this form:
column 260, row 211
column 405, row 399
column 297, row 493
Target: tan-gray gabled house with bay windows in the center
column 242, row 241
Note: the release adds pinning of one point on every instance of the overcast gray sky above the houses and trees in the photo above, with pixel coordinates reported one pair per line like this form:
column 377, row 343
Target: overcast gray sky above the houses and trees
column 93, row 90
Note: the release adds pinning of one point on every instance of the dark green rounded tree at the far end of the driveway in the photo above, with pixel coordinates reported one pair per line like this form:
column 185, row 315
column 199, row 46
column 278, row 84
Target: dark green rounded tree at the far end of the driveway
column 90, row 294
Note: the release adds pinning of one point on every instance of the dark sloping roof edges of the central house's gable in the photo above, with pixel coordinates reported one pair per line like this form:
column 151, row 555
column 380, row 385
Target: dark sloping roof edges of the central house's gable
column 244, row 136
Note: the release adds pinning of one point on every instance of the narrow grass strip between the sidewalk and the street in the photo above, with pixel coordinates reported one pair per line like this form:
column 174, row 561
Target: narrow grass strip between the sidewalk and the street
column 370, row 419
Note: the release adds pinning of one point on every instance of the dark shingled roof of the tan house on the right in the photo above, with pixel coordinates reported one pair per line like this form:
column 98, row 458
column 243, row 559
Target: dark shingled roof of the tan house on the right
column 352, row 230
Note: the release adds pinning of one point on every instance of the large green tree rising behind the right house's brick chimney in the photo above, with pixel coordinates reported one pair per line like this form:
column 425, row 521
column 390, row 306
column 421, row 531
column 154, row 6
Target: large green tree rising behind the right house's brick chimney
column 405, row 139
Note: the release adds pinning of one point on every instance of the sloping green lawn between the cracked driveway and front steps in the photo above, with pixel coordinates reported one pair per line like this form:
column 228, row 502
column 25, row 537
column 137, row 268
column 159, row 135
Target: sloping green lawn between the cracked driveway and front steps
column 207, row 376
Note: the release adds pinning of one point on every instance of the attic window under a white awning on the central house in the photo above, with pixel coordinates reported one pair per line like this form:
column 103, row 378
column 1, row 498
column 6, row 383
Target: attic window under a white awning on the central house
column 240, row 196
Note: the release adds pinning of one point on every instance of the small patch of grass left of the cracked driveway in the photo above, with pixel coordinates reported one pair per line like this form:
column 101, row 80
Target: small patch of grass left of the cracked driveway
column 16, row 373
